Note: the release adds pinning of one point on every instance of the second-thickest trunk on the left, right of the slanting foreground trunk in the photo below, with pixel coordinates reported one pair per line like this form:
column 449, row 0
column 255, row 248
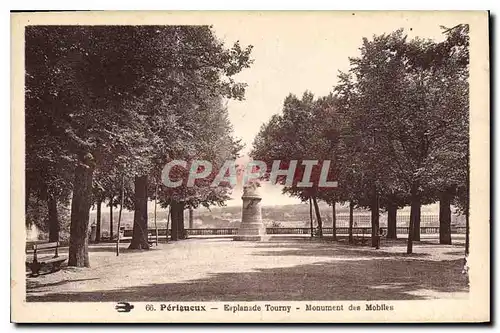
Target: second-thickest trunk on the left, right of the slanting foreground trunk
column 140, row 231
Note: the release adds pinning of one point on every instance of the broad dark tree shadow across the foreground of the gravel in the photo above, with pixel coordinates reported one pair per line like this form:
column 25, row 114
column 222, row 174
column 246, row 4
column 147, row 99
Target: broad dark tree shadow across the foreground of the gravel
column 376, row 279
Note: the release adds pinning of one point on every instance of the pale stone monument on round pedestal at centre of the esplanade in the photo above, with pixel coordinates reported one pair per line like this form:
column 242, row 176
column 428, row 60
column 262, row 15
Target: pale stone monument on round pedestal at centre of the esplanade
column 251, row 228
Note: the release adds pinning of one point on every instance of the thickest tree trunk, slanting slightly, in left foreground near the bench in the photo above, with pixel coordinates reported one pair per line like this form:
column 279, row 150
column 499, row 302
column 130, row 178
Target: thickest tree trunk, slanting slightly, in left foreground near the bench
column 80, row 208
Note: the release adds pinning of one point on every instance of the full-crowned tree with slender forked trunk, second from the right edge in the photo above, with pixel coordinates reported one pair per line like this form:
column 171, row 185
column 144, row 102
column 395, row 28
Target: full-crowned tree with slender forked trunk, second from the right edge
column 402, row 108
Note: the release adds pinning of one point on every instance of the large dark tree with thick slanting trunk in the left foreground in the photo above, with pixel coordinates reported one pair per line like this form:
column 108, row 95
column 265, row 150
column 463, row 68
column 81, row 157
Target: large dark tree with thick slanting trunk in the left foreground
column 78, row 89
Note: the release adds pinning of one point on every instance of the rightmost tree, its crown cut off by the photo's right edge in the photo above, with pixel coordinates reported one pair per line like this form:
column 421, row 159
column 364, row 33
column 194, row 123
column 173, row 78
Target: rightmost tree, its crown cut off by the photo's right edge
column 449, row 177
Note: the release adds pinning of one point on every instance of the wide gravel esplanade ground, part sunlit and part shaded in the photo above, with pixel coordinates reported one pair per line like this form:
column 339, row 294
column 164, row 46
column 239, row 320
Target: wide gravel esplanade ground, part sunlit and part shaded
column 283, row 268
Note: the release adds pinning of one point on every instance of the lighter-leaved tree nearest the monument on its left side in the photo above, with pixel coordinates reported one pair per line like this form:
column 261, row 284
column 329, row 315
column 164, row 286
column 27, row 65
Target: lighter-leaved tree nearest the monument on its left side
column 202, row 73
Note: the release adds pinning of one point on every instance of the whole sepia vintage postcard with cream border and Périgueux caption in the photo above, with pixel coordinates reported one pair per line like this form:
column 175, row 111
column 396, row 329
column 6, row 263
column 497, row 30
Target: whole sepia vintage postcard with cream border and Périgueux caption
column 257, row 167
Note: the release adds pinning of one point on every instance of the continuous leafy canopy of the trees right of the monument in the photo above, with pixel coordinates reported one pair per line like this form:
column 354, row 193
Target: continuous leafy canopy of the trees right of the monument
column 396, row 124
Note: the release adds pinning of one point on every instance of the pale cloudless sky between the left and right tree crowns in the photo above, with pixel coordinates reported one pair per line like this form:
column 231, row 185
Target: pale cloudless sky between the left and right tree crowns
column 297, row 52
